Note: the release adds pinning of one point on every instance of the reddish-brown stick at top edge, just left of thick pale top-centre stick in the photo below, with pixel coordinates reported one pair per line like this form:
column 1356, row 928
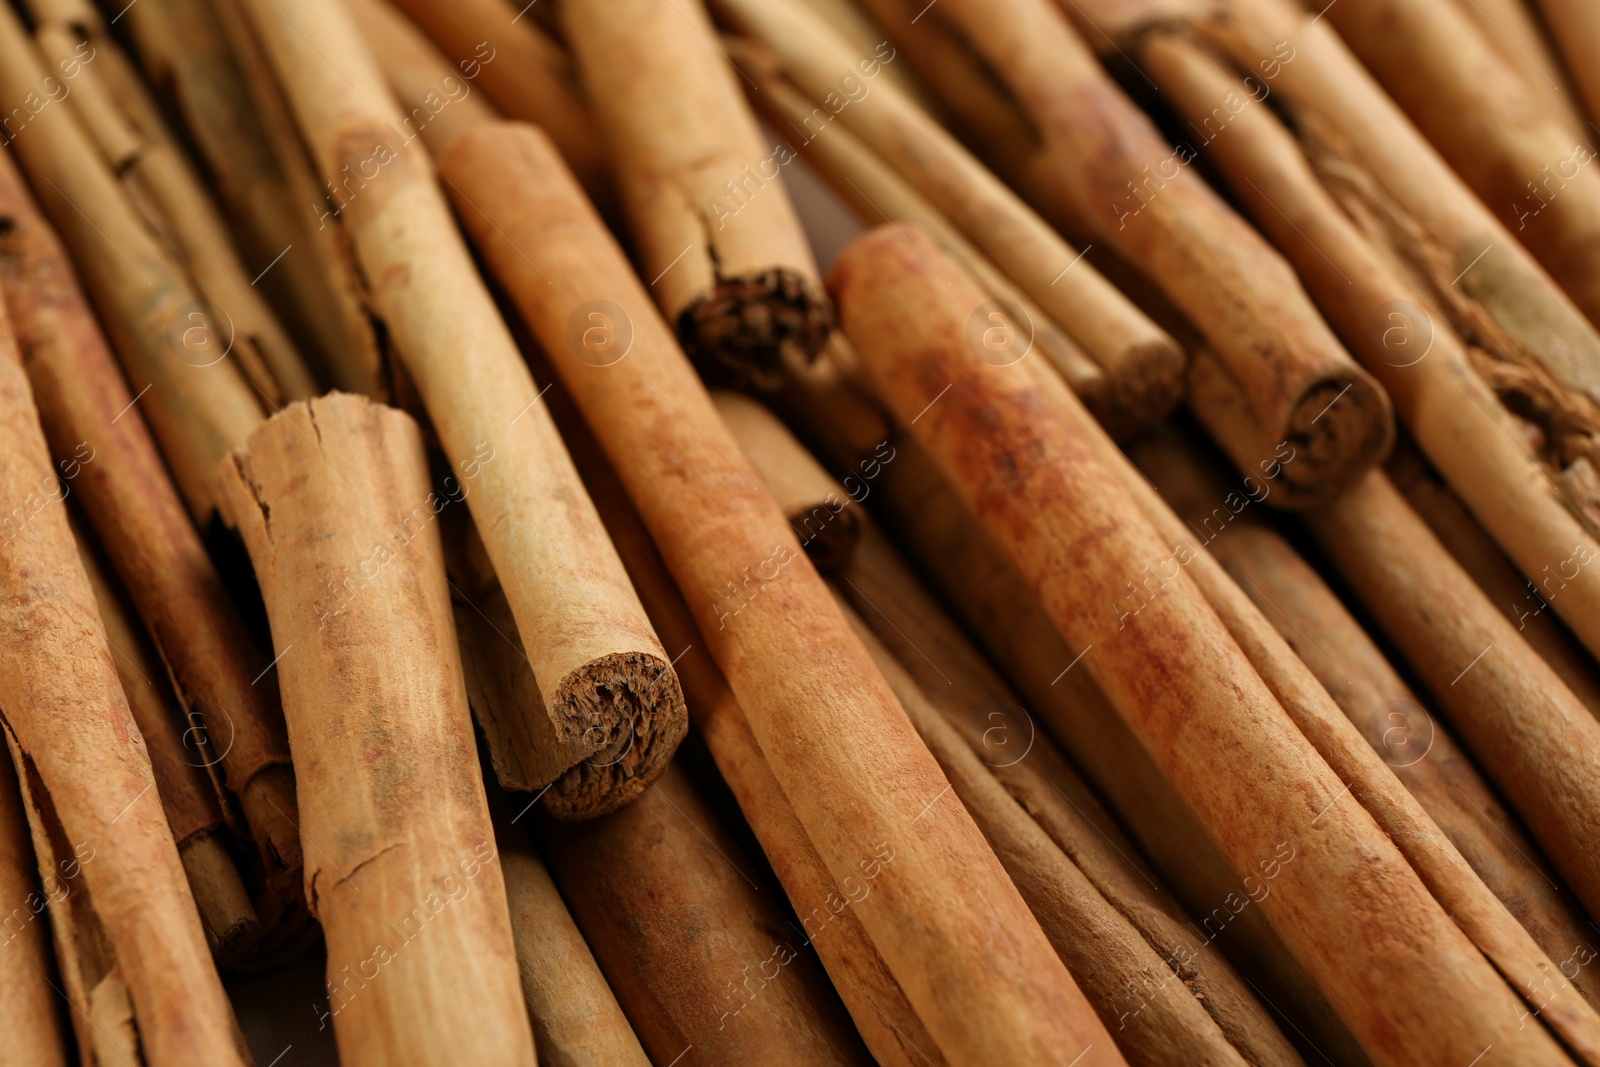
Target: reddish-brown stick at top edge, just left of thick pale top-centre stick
column 526, row 76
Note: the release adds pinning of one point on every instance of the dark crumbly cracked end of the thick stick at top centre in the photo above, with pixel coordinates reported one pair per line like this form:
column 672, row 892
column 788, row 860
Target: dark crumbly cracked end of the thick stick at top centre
column 745, row 327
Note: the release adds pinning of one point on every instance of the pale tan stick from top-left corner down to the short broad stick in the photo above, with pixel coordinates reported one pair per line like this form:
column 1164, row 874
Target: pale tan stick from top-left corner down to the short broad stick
column 198, row 402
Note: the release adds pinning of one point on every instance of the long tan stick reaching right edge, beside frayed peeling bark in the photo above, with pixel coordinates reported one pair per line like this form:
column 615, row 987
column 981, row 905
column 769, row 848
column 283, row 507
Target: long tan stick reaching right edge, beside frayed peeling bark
column 1439, row 382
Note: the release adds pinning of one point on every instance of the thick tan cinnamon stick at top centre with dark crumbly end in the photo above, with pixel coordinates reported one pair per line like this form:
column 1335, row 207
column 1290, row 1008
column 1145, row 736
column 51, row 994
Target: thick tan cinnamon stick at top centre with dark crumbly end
column 708, row 209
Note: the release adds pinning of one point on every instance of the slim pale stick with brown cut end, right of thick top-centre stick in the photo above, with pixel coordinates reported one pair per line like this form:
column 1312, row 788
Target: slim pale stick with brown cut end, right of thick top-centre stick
column 1116, row 335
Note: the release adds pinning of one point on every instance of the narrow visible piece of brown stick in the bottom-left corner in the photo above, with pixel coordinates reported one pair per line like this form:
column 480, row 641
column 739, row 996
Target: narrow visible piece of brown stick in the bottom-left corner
column 30, row 1010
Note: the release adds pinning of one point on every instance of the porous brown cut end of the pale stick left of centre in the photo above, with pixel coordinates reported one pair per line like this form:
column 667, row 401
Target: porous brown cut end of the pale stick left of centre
column 631, row 706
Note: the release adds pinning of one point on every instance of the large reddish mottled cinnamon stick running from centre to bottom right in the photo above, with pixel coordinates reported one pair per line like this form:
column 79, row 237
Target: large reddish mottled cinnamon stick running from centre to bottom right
column 1178, row 677
